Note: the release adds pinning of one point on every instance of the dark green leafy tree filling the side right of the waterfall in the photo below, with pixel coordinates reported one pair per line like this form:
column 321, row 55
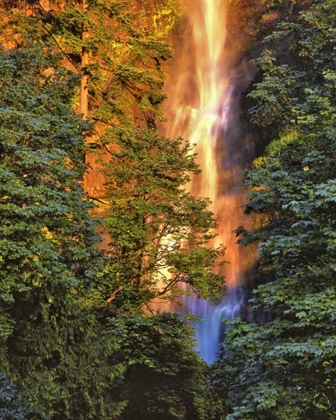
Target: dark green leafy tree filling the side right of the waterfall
column 283, row 365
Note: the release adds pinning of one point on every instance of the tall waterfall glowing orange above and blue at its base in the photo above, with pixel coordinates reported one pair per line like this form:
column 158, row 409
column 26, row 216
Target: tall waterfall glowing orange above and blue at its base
column 202, row 106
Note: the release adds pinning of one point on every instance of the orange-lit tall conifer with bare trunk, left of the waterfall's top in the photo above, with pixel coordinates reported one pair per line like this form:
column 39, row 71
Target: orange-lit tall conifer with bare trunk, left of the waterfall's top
column 118, row 49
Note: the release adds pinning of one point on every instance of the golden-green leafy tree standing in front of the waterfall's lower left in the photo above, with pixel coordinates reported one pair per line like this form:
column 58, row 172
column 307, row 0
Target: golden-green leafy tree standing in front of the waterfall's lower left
column 159, row 232
